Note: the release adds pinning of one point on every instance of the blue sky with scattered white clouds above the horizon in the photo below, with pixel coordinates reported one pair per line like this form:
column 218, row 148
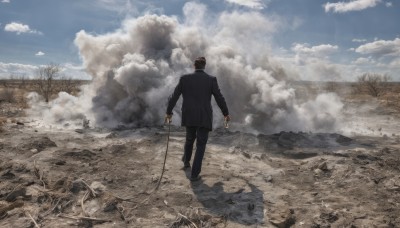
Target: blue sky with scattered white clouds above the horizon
column 317, row 40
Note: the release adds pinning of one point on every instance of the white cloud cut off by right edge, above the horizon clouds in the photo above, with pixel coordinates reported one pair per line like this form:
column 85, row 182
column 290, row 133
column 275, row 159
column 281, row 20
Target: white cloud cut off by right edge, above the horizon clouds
column 381, row 48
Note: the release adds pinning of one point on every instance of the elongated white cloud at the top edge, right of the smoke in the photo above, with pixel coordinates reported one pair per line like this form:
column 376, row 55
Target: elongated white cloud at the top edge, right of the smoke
column 353, row 5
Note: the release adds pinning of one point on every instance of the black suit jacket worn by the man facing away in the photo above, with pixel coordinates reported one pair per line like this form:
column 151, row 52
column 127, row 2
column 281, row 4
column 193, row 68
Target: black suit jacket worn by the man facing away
column 196, row 90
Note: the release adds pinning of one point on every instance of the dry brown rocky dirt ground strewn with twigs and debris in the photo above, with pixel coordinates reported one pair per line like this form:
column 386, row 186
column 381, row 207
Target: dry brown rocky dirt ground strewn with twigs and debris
column 55, row 177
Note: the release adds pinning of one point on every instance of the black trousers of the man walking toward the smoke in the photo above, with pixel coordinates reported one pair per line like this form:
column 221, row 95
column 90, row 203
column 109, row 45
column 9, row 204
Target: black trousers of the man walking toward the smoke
column 200, row 134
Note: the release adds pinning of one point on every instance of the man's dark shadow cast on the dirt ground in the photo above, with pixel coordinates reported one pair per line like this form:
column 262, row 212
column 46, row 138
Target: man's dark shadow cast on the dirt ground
column 243, row 207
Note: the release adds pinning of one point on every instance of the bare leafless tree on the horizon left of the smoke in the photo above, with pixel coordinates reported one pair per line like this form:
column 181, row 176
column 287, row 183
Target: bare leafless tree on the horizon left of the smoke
column 45, row 81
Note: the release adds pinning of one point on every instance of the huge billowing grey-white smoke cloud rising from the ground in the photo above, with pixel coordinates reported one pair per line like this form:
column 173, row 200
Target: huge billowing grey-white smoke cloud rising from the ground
column 136, row 68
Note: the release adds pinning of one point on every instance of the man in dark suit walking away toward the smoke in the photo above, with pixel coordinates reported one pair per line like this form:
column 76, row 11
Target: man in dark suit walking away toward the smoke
column 196, row 89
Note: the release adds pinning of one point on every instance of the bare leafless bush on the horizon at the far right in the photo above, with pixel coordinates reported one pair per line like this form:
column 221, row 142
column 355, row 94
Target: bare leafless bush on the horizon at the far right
column 373, row 84
